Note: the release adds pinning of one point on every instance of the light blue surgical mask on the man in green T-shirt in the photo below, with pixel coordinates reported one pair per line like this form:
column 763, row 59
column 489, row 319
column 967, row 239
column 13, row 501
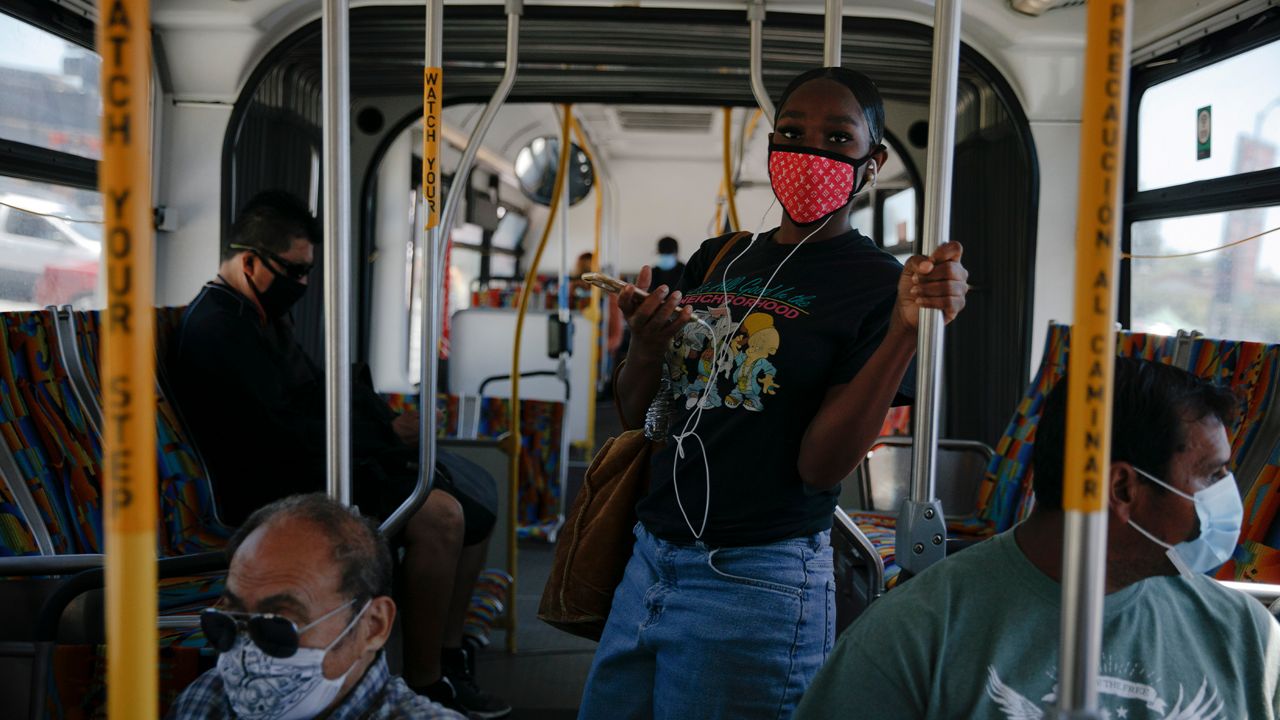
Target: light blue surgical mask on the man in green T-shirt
column 1220, row 514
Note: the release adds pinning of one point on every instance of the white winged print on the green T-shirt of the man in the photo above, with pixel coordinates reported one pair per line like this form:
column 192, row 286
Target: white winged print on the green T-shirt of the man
column 1121, row 699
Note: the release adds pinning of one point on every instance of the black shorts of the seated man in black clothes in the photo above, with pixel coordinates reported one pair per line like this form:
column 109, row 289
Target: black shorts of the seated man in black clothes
column 381, row 493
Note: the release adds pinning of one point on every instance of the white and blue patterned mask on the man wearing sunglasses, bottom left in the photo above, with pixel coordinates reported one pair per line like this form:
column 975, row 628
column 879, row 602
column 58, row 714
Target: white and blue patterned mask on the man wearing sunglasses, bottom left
column 262, row 687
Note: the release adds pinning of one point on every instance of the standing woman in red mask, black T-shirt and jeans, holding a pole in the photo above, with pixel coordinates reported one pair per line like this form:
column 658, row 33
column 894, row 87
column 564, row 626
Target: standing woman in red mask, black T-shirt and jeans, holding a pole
column 769, row 382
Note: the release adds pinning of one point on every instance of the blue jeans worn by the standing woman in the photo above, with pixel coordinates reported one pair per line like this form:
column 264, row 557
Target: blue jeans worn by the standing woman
column 708, row 634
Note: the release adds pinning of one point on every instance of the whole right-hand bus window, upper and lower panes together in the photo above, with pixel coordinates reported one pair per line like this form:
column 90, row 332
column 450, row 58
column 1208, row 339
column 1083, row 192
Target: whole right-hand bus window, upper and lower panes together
column 1201, row 198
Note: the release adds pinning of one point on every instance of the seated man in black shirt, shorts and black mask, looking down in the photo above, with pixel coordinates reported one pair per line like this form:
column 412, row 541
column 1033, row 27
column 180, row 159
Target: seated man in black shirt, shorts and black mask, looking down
column 255, row 403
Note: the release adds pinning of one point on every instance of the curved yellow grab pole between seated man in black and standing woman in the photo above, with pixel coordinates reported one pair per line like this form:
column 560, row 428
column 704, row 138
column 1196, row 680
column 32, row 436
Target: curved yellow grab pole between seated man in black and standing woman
column 523, row 309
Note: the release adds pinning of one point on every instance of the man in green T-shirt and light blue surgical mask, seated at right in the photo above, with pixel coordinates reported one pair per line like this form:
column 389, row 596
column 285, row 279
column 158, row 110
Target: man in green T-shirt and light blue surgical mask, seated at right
column 1176, row 644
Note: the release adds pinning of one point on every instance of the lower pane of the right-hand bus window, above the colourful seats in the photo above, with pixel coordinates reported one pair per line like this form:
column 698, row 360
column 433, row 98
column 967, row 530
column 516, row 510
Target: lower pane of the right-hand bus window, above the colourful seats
column 1227, row 294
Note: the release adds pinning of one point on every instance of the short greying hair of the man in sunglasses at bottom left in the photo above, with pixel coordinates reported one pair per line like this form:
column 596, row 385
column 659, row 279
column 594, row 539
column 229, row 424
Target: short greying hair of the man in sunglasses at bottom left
column 359, row 548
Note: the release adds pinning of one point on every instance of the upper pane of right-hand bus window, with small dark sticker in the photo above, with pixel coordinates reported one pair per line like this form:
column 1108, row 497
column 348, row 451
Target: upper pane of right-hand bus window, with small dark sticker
column 1215, row 122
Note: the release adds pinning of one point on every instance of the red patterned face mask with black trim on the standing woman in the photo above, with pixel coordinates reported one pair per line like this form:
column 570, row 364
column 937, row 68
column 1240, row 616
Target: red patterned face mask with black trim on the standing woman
column 813, row 184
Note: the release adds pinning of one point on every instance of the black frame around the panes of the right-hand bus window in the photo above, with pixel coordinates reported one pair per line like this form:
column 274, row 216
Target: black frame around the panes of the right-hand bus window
column 1258, row 189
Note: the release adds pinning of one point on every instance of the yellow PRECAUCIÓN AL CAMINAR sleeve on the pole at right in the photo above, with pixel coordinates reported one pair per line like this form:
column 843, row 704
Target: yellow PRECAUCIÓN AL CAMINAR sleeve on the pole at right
column 1092, row 358
